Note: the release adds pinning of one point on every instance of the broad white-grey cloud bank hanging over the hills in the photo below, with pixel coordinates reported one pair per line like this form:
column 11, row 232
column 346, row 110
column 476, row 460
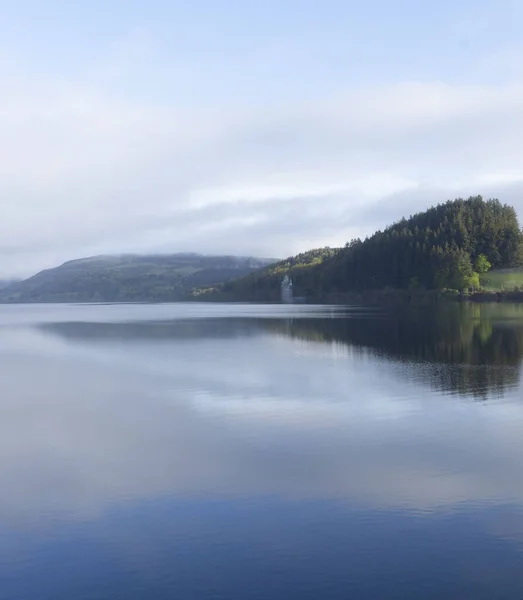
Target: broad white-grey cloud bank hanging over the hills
column 82, row 171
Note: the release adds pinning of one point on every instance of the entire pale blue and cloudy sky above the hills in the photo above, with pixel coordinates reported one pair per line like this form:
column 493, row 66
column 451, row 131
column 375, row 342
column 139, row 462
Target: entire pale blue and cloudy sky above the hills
column 247, row 127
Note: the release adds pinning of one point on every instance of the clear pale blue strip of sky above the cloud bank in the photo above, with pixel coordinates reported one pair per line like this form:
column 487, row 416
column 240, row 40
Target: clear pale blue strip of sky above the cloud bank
column 274, row 48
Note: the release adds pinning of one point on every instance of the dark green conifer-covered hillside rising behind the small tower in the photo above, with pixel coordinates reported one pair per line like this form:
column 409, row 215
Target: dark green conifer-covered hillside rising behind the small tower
column 447, row 246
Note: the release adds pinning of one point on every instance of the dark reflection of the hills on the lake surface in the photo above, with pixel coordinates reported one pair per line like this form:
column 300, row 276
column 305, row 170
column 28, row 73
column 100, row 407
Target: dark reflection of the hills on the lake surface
column 459, row 348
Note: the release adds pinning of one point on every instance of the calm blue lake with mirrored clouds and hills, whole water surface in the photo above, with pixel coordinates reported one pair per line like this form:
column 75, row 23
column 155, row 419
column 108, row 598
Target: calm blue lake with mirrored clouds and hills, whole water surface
column 251, row 452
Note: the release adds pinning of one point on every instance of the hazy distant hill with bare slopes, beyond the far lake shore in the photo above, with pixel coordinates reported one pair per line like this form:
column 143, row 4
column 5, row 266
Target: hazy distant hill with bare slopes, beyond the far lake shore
column 129, row 278
